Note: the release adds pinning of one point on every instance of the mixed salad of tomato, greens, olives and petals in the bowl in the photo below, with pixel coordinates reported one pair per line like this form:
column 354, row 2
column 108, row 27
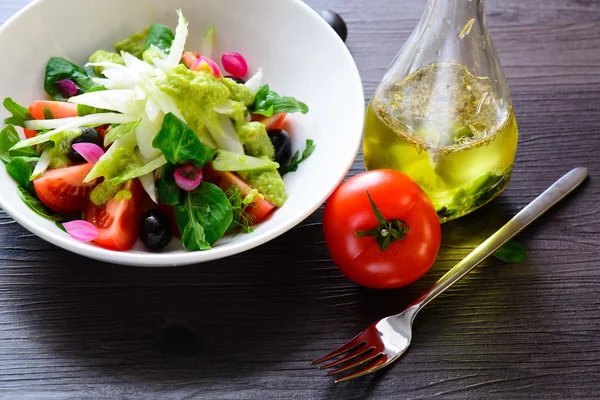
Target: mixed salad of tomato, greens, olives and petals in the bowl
column 151, row 141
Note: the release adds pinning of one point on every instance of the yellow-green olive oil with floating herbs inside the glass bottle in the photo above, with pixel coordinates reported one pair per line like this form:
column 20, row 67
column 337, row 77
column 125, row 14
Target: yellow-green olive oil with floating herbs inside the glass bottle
column 461, row 165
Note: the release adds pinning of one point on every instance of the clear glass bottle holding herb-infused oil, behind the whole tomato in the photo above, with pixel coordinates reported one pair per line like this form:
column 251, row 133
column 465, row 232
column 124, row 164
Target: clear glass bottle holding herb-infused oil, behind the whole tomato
column 443, row 113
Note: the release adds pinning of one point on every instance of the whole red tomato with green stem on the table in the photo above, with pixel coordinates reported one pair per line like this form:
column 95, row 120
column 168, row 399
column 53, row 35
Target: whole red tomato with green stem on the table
column 381, row 229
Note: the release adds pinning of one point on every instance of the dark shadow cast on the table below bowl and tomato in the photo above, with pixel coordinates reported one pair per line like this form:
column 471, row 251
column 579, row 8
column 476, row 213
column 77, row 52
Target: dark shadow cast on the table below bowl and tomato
column 260, row 313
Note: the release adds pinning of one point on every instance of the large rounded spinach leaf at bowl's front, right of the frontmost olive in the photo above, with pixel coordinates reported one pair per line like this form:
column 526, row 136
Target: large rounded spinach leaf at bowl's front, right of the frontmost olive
column 203, row 217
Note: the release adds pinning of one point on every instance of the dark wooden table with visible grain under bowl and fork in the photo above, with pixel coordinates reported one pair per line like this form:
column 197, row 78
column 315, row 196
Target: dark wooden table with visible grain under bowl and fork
column 247, row 327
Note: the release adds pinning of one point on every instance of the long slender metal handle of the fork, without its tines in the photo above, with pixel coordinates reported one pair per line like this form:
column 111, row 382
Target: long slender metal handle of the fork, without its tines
column 539, row 206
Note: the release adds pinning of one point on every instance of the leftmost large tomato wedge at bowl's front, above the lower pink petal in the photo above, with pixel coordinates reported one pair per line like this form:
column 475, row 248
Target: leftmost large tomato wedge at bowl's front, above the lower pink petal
column 63, row 190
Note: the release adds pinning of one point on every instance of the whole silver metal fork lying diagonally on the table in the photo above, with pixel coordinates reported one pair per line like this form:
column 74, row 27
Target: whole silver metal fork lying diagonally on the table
column 384, row 341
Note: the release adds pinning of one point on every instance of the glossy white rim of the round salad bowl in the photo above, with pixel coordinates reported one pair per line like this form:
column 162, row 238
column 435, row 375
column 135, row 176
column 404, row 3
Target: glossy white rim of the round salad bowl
column 196, row 257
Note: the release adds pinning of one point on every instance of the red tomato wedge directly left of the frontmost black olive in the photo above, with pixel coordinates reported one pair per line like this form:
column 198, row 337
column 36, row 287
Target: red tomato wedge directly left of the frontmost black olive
column 117, row 220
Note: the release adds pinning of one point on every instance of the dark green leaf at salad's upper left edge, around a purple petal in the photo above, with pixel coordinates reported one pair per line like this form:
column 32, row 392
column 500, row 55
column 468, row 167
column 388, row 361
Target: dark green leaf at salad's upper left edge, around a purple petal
column 58, row 69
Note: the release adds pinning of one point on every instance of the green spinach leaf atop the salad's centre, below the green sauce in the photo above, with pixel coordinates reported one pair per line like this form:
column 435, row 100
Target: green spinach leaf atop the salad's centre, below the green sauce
column 180, row 144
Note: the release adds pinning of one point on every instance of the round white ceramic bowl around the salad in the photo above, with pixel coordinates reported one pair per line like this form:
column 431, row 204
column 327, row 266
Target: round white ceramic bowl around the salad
column 301, row 56
